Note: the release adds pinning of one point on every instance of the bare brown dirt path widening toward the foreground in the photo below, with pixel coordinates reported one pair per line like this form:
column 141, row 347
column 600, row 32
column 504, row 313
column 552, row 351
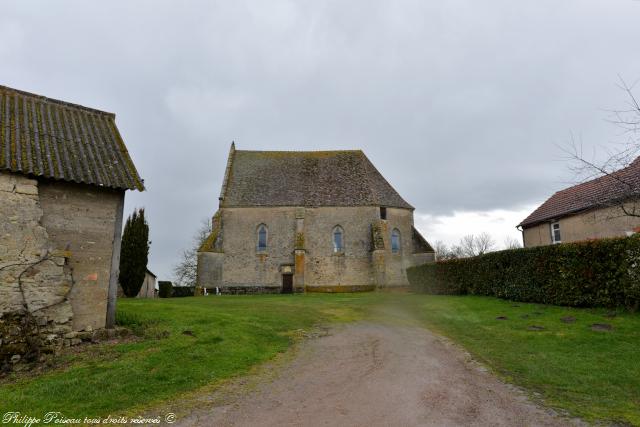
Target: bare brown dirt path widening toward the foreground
column 374, row 374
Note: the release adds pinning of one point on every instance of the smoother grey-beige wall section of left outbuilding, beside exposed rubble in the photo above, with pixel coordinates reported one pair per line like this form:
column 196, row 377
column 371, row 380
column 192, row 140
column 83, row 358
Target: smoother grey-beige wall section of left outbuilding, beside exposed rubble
column 80, row 220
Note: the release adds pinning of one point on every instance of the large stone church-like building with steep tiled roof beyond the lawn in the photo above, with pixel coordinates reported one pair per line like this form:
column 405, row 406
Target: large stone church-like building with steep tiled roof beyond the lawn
column 324, row 221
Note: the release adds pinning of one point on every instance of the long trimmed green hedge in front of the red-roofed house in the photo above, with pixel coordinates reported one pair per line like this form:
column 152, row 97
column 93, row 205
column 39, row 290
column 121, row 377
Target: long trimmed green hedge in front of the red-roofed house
column 598, row 273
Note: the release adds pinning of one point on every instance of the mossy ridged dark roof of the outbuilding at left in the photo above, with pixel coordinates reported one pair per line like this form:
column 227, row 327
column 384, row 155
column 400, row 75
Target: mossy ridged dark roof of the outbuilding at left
column 54, row 139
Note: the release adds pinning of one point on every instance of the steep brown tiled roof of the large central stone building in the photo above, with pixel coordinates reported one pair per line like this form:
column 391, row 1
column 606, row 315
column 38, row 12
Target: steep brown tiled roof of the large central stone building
column 305, row 178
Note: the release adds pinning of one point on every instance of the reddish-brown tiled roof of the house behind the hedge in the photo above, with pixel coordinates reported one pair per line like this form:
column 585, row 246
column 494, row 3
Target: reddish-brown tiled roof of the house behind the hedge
column 602, row 191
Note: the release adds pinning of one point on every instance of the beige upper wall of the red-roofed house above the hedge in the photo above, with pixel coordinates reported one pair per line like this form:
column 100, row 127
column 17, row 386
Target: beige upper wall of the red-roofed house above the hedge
column 594, row 224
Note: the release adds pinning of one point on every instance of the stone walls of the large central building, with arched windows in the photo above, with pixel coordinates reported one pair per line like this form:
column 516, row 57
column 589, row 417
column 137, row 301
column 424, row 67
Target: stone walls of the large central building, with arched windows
column 302, row 239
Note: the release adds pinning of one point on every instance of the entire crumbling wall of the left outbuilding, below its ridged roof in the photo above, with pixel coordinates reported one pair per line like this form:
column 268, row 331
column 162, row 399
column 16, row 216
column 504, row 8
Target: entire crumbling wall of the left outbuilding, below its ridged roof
column 56, row 249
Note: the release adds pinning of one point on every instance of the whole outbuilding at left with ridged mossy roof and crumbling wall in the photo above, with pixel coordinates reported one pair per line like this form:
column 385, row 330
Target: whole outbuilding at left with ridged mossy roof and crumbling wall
column 64, row 170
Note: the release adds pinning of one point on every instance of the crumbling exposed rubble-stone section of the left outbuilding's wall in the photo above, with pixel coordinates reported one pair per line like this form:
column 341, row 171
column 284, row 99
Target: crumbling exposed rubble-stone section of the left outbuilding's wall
column 34, row 277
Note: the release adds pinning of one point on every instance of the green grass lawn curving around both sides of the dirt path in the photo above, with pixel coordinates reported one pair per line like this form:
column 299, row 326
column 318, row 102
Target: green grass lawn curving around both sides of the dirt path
column 595, row 375
